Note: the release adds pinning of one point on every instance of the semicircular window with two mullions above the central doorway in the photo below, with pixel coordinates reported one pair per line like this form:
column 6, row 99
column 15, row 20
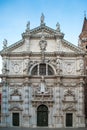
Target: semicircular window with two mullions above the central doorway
column 42, row 69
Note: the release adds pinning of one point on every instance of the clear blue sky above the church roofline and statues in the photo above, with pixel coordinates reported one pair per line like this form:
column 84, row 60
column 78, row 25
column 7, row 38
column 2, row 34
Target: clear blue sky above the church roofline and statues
column 14, row 14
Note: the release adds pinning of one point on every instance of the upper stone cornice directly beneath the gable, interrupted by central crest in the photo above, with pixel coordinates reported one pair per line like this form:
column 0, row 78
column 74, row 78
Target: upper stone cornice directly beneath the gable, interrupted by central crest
column 36, row 54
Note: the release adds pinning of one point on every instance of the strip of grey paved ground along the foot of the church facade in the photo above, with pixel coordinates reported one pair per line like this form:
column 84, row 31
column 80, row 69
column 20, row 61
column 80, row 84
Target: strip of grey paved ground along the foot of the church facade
column 21, row 128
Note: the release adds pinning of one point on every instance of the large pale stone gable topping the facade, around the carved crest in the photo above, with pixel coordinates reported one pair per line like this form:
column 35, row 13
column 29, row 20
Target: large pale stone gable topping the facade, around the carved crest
column 52, row 44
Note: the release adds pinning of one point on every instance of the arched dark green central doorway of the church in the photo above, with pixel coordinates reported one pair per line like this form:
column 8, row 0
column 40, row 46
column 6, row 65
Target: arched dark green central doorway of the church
column 42, row 115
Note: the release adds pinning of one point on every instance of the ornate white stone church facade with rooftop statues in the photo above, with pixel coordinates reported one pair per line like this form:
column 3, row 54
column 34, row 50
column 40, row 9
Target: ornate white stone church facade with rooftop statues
column 43, row 80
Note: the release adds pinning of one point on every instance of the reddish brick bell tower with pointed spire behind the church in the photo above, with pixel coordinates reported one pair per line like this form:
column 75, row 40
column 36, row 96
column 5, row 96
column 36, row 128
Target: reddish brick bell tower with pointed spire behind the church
column 83, row 45
